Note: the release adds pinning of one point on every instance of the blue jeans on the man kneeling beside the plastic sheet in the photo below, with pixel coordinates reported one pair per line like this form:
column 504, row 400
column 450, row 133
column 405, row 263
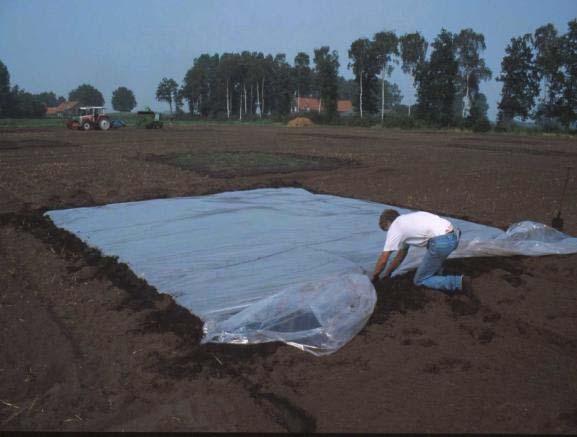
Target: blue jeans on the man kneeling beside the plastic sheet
column 428, row 273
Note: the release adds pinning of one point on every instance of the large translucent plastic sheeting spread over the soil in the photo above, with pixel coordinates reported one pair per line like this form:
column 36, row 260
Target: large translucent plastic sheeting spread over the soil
column 274, row 264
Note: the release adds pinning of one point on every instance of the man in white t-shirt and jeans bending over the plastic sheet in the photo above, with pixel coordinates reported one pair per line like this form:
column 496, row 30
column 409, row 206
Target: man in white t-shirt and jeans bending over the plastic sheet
column 422, row 229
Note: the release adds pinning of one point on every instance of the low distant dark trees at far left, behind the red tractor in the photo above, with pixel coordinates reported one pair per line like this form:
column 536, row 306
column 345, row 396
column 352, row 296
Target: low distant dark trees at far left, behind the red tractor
column 16, row 102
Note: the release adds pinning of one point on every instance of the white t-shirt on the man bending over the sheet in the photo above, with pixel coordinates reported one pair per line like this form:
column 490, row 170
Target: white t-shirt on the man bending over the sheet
column 415, row 229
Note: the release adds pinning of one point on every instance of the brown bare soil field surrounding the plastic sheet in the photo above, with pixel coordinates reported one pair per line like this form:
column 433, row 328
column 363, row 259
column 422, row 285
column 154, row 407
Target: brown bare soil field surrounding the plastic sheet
column 87, row 346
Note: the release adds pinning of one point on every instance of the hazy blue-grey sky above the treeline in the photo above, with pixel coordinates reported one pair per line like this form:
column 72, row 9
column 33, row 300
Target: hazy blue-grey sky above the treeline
column 56, row 45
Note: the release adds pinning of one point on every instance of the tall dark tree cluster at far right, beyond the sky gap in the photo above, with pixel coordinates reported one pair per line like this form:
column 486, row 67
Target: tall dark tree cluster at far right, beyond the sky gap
column 539, row 75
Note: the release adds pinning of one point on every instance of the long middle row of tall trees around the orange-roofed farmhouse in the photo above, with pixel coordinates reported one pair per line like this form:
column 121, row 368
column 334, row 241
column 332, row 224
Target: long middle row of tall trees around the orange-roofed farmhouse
column 252, row 84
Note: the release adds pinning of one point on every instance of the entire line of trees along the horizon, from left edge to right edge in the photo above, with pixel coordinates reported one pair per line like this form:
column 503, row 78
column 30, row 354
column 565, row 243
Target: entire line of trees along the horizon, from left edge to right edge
column 538, row 72
